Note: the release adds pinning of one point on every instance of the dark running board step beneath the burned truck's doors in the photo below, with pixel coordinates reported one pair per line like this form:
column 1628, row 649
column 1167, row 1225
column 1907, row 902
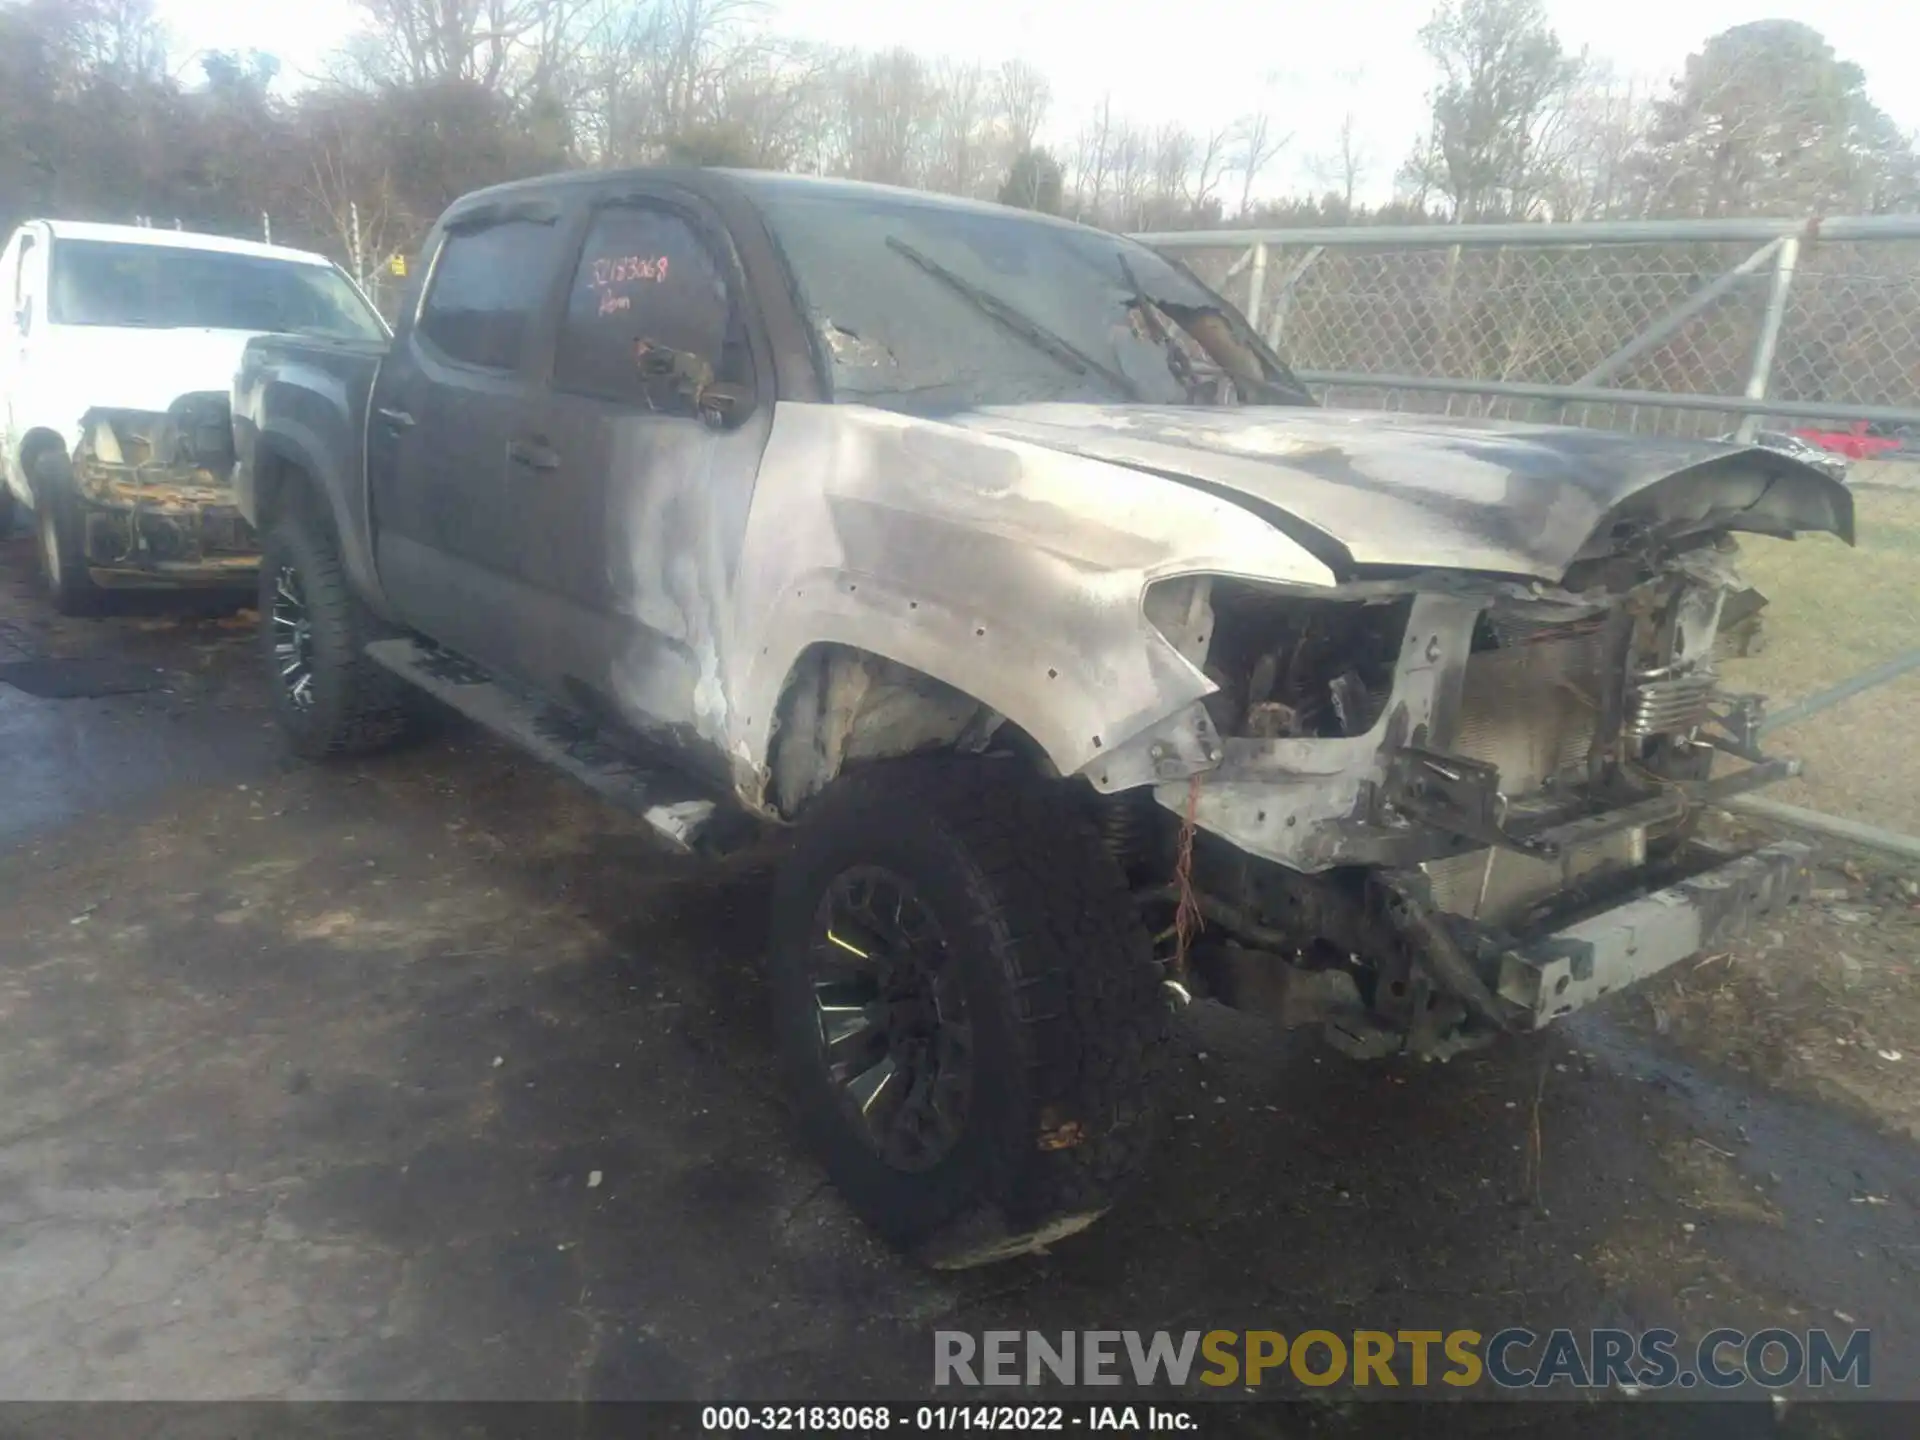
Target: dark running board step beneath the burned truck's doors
column 671, row 804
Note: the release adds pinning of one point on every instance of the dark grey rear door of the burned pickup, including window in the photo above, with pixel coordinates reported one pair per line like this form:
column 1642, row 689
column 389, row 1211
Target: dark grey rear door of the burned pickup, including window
column 448, row 404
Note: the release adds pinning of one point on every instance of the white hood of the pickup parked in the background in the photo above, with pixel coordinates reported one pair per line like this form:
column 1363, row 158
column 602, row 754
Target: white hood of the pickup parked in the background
column 84, row 368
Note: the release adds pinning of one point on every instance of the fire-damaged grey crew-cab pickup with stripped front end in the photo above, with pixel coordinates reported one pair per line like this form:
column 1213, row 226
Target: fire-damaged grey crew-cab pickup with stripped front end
column 1088, row 663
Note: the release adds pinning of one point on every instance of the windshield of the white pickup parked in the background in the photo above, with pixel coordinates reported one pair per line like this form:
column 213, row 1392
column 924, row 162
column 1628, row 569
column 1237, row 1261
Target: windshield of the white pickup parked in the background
column 172, row 287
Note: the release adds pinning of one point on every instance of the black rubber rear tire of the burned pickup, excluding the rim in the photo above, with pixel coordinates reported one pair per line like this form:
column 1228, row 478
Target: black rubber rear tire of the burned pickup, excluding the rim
column 375, row 708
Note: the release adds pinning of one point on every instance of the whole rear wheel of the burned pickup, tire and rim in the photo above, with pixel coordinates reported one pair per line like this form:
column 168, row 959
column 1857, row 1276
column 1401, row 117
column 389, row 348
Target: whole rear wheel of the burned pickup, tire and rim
column 329, row 698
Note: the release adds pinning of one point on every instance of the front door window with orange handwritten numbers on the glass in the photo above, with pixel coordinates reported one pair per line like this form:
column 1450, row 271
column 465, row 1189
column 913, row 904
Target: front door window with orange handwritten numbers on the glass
column 650, row 302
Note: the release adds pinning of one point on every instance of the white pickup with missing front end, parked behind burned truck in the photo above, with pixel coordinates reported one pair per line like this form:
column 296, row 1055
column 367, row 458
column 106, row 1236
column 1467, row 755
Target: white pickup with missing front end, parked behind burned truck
column 118, row 431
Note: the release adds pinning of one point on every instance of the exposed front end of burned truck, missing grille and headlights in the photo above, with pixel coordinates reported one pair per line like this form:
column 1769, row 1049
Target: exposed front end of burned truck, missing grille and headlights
column 1429, row 784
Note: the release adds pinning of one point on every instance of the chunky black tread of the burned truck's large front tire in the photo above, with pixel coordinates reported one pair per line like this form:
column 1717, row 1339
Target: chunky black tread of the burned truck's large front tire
column 1092, row 1013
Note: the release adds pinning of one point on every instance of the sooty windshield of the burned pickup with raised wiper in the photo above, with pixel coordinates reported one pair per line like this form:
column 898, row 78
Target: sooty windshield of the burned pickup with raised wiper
column 930, row 306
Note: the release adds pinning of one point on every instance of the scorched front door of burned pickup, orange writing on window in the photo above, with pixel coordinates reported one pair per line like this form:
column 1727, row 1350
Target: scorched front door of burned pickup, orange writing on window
column 635, row 502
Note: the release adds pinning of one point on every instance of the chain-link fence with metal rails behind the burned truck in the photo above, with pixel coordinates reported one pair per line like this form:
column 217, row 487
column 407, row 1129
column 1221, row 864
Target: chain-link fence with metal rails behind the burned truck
column 1666, row 329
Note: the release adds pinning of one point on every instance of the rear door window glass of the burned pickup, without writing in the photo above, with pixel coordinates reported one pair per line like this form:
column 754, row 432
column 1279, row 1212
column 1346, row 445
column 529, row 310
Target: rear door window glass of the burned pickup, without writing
column 485, row 293
